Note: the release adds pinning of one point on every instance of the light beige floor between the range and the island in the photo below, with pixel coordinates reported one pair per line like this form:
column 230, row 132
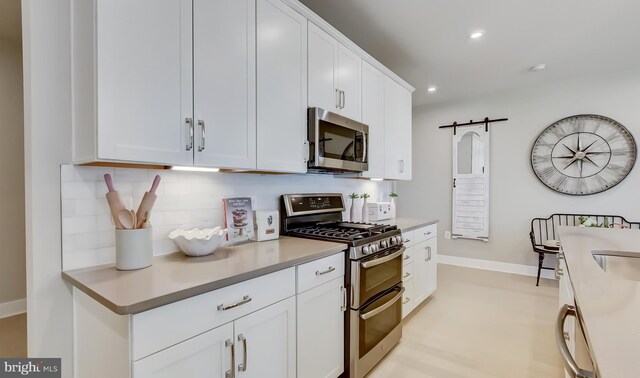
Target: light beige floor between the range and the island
column 479, row 324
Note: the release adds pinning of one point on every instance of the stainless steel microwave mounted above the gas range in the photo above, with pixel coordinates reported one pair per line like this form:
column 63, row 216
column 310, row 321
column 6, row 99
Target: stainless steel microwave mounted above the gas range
column 336, row 143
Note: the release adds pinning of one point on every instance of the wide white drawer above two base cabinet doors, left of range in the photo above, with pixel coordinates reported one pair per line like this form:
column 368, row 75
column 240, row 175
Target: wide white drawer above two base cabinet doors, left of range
column 168, row 325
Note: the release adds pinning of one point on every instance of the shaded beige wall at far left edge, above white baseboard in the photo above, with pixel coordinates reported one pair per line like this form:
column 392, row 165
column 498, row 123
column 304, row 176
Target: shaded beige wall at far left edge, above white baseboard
column 12, row 258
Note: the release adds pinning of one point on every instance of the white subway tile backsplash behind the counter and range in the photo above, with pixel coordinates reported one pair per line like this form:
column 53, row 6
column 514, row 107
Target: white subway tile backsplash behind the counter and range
column 185, row 199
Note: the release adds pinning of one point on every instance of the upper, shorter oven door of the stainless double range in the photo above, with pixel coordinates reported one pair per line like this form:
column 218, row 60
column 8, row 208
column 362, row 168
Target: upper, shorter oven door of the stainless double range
column 373, row 275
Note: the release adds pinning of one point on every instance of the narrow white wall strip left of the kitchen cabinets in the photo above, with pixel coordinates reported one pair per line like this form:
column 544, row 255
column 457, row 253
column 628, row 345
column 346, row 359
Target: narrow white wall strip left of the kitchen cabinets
column 47, row 118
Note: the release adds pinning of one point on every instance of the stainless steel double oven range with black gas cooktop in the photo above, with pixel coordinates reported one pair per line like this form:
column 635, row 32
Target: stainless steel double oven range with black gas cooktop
column 373, row 274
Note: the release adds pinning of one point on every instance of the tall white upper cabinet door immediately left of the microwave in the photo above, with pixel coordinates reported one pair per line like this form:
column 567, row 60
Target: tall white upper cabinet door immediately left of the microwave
column 282, row 88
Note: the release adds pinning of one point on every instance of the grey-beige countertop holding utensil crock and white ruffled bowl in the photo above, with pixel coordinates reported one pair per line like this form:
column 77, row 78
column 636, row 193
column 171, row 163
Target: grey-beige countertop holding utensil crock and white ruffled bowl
column 175, row 276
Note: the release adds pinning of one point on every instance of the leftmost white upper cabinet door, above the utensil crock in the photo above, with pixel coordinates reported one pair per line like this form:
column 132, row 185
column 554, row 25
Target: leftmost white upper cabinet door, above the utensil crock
column 144, row 80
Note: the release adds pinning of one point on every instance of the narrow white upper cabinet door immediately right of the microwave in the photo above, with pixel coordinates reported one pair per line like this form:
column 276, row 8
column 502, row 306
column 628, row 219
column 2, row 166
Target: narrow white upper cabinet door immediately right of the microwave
column 373, row 116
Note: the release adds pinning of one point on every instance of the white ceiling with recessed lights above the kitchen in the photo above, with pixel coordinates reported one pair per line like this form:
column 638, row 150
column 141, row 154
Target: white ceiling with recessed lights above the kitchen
column 427, row 42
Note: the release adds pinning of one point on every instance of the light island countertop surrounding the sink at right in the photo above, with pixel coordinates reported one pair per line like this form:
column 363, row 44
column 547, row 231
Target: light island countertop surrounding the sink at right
column 608, row 305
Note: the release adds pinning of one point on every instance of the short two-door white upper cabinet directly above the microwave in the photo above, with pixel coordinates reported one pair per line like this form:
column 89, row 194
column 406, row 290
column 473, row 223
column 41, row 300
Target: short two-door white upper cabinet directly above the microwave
column 334, row 75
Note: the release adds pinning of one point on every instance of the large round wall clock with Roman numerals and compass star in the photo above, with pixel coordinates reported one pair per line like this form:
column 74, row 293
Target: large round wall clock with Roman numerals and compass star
column 583, row 154
